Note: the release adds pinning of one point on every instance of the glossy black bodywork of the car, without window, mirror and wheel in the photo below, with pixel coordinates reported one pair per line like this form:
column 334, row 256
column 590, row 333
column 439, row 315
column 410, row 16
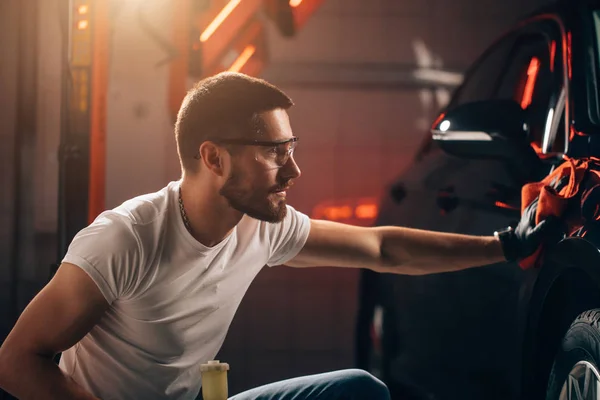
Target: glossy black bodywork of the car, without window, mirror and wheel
column 496, row 328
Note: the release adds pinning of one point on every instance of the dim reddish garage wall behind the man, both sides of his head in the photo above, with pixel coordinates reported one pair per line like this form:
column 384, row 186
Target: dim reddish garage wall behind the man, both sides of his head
column 354, row 141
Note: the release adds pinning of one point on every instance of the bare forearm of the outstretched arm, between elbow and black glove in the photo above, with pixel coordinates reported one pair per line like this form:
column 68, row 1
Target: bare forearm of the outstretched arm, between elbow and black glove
column 418, row 252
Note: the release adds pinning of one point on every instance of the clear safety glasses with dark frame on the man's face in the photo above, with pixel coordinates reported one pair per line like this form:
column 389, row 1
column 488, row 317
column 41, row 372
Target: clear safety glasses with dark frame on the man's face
column 273, row 155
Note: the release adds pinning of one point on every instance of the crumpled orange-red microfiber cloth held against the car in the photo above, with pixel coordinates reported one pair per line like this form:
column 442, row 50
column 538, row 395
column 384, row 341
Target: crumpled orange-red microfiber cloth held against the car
column 576, row 204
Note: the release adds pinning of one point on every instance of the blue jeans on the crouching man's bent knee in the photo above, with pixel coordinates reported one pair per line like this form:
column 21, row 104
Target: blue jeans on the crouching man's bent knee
column 348, row 384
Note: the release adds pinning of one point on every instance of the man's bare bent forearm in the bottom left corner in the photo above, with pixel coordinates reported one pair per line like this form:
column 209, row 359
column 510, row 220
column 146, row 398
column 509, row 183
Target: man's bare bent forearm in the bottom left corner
column 37, row 377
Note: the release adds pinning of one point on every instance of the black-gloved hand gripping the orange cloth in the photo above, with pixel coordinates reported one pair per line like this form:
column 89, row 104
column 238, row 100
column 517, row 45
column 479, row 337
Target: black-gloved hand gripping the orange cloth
column 527, row 237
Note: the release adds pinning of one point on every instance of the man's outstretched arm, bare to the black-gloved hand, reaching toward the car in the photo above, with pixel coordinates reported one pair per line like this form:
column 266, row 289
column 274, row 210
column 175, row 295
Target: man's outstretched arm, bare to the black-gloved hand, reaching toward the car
column 419, row 252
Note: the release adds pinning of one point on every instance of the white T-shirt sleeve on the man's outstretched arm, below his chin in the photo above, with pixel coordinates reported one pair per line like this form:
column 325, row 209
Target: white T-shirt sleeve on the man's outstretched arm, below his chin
column 288, row 237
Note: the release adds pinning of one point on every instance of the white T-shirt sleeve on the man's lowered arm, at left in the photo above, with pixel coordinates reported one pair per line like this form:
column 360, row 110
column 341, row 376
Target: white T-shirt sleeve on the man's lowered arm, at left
column 108, row 250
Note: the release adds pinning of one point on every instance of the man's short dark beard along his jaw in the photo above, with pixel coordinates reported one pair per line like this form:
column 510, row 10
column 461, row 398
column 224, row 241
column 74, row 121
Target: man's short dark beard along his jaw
column 256, row 204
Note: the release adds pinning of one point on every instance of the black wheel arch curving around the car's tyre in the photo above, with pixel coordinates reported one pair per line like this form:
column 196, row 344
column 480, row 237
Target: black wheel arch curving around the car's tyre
column 567, row 284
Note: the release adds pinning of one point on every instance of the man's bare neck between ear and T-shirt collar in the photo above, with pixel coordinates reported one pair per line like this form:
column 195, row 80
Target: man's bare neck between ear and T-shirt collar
column 210, row 217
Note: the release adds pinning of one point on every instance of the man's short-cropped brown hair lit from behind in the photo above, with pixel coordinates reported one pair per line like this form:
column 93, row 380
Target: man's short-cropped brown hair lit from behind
column 222, row 106
